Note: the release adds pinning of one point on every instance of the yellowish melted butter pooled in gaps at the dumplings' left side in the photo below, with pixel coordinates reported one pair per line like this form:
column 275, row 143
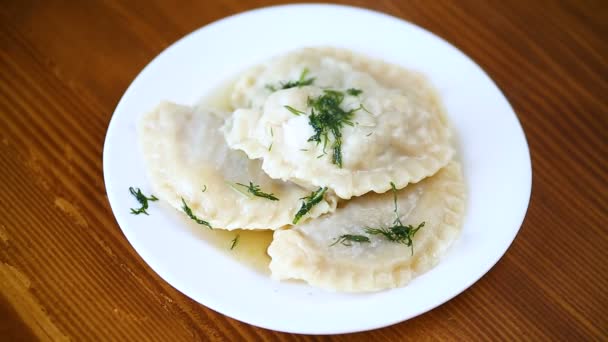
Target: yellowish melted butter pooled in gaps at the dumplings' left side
column 250, row 250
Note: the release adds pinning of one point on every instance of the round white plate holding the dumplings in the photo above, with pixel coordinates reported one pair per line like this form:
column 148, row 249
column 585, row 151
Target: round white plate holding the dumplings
column 493, row 150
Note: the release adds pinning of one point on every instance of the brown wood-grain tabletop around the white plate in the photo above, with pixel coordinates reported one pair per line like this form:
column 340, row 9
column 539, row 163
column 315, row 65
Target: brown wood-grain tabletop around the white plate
column 67, row 271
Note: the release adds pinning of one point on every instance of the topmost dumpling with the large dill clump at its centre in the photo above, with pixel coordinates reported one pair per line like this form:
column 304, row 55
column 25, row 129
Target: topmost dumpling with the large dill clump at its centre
column 397, row 130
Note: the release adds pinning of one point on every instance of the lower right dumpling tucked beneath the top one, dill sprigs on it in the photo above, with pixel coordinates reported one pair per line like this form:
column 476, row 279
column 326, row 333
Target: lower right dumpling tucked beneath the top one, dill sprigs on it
column 306, row 252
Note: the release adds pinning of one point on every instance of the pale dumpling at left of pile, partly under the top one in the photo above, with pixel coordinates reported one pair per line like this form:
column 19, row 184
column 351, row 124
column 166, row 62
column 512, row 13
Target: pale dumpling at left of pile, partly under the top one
column 186, row 157
